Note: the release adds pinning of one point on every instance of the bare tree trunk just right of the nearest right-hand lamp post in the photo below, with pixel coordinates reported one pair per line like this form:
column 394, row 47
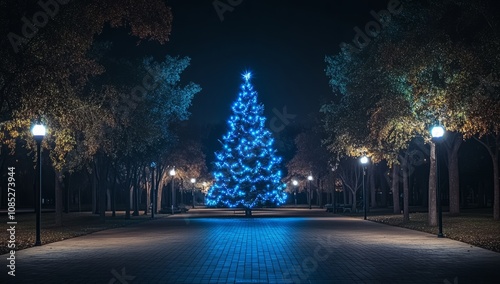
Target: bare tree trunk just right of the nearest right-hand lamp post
column 453, row 172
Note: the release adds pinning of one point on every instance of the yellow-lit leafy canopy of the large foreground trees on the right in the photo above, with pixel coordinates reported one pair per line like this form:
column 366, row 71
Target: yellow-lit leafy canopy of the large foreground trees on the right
column 424, row 68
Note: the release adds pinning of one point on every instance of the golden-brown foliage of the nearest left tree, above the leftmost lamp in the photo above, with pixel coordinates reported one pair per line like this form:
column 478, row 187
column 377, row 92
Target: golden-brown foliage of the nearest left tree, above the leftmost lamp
column 46, row 77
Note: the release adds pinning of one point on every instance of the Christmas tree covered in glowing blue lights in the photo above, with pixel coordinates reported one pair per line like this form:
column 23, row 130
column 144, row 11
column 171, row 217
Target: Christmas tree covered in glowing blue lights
column 247, row 170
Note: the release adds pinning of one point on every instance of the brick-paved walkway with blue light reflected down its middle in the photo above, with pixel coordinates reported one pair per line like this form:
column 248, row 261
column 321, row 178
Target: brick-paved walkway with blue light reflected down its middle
column 317, row 248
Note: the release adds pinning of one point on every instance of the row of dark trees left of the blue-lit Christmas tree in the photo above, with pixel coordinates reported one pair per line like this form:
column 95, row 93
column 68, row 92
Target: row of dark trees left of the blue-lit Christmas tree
column 109, row 117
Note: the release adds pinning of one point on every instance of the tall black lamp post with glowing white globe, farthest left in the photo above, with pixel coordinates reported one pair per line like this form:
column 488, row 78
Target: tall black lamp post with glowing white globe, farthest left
column 38, row 132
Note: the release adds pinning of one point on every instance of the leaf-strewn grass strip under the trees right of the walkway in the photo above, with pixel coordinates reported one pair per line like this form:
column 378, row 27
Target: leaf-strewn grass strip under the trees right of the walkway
column 472, row 226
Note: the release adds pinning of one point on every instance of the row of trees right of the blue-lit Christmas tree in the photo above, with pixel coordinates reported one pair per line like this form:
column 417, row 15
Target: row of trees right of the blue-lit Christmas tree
column 435, row 63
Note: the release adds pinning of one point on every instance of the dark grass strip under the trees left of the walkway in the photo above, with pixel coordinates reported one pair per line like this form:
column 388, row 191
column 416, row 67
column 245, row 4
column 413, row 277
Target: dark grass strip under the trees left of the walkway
column 74, row 224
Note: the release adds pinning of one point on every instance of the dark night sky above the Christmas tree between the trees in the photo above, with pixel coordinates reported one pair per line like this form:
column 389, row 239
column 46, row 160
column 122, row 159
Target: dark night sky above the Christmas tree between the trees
column 283, row 43
